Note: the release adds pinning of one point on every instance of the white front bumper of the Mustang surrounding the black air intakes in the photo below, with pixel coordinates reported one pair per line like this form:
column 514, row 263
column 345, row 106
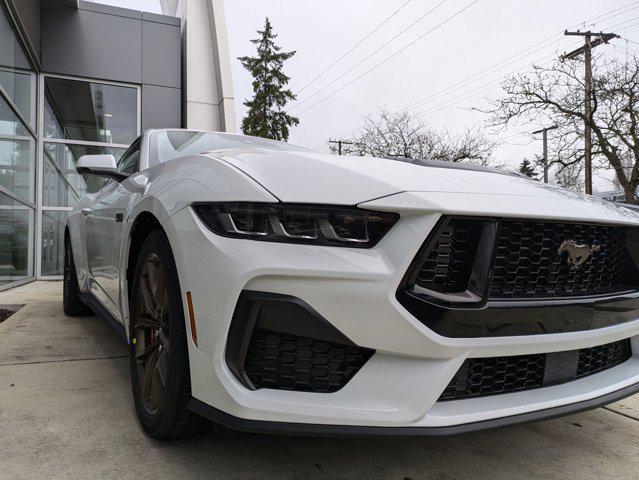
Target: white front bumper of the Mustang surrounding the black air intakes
column 354, row 290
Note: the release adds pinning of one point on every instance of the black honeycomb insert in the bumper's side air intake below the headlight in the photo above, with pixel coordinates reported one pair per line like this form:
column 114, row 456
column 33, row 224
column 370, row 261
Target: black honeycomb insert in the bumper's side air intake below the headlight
column 286, row 362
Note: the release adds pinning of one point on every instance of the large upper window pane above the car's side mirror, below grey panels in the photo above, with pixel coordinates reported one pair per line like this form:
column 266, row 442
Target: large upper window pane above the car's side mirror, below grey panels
column 95, row 112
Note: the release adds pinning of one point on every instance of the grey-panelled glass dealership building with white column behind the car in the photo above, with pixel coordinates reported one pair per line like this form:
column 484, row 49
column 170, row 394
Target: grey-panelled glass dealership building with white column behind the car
column 81, row 78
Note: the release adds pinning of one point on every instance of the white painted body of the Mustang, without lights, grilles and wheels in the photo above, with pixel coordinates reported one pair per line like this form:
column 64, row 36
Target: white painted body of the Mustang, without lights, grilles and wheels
column 353, row 288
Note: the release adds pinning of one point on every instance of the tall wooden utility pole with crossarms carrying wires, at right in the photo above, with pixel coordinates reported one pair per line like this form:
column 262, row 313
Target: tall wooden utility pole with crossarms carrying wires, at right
column 589, row 44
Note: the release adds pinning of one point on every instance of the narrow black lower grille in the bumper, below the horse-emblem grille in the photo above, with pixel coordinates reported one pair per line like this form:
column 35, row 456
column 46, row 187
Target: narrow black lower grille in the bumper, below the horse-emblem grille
column 491, row 376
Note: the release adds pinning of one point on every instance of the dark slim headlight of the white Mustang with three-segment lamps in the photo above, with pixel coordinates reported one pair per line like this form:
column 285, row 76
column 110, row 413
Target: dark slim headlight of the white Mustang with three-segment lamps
column 318, row 225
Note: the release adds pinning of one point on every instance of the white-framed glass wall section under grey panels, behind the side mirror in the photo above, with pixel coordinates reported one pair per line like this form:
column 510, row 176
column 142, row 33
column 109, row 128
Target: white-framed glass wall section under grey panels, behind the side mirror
column 79, row 117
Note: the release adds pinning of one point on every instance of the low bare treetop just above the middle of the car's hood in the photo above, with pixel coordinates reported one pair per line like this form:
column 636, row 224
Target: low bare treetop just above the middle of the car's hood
column 404, row 135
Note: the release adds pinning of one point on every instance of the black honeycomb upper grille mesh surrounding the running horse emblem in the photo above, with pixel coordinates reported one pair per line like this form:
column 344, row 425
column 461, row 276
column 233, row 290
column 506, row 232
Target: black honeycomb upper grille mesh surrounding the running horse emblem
column 527, row 265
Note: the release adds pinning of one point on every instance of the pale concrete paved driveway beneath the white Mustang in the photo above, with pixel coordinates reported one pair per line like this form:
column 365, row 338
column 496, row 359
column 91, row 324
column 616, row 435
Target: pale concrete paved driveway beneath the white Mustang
column 66, row 412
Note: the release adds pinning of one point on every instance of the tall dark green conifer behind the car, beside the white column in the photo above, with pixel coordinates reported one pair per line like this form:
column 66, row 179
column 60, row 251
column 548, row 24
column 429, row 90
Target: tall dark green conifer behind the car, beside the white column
column 266, row 117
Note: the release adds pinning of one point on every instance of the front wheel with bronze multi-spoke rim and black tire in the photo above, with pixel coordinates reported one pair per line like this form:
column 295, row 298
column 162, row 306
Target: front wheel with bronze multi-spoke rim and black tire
column 160, row 376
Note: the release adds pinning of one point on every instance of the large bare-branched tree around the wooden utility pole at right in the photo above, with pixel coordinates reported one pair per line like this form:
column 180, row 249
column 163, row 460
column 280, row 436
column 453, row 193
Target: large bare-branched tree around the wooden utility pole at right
column 555, row 95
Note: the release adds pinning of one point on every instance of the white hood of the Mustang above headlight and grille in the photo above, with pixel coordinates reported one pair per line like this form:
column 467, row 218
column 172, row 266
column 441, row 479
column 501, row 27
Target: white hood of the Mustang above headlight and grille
column 302, row 177
